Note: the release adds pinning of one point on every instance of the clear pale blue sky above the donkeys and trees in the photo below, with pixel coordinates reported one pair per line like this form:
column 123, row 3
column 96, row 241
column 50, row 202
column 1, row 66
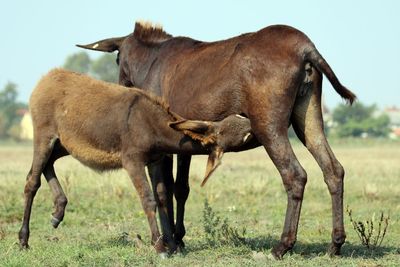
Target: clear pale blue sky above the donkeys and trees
column 359, row 39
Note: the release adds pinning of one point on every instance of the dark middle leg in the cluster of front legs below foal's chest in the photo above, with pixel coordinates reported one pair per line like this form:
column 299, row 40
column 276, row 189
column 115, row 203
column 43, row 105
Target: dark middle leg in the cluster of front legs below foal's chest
column 161, row 171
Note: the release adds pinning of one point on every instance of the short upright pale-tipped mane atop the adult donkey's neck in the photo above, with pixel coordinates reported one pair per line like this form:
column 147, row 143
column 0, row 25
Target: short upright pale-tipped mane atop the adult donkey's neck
column 147, row 32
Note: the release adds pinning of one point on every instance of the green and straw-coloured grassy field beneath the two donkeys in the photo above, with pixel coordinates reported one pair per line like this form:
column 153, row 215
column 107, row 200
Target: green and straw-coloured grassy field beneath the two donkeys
column 104, row 214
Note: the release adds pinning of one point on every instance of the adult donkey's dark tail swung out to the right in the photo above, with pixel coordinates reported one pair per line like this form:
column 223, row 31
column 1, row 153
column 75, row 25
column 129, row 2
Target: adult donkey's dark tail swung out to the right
column 313, row 56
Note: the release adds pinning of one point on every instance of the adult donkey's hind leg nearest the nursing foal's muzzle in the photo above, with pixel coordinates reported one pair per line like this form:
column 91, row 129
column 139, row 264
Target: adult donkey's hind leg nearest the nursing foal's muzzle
column 269, row 114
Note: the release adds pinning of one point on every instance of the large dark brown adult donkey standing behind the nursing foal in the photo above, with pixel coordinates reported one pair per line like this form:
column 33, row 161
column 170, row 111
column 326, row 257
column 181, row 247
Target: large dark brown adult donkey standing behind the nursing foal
column 273, row 76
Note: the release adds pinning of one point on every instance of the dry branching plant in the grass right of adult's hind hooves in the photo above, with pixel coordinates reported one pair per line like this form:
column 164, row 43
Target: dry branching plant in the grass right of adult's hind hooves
column 369, row 235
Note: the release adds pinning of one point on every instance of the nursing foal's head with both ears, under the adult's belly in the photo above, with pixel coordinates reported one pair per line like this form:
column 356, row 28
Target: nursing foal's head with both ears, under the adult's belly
column 232, row 132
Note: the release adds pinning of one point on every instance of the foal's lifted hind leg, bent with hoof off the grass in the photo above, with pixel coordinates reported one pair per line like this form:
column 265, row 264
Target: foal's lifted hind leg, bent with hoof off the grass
column 60, row 200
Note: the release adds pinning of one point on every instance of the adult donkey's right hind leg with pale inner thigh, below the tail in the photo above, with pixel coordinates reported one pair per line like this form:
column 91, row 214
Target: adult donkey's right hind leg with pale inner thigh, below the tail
column 308, row 125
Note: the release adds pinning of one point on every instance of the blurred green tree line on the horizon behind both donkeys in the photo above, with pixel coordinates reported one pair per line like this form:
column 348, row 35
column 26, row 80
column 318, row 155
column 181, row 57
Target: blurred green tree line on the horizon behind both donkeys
column 346, row 121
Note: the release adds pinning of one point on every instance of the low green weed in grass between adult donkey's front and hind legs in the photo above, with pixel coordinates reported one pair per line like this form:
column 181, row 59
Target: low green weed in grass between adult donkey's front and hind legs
column 218, row 231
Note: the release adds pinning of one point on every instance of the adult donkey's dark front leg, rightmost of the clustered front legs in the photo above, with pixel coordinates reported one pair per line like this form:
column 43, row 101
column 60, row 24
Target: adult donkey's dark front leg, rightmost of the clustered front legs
column 181, row 191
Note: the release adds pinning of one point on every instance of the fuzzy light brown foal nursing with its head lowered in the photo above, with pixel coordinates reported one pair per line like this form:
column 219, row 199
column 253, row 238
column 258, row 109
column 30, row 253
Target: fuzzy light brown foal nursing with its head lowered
column 107, row 126
